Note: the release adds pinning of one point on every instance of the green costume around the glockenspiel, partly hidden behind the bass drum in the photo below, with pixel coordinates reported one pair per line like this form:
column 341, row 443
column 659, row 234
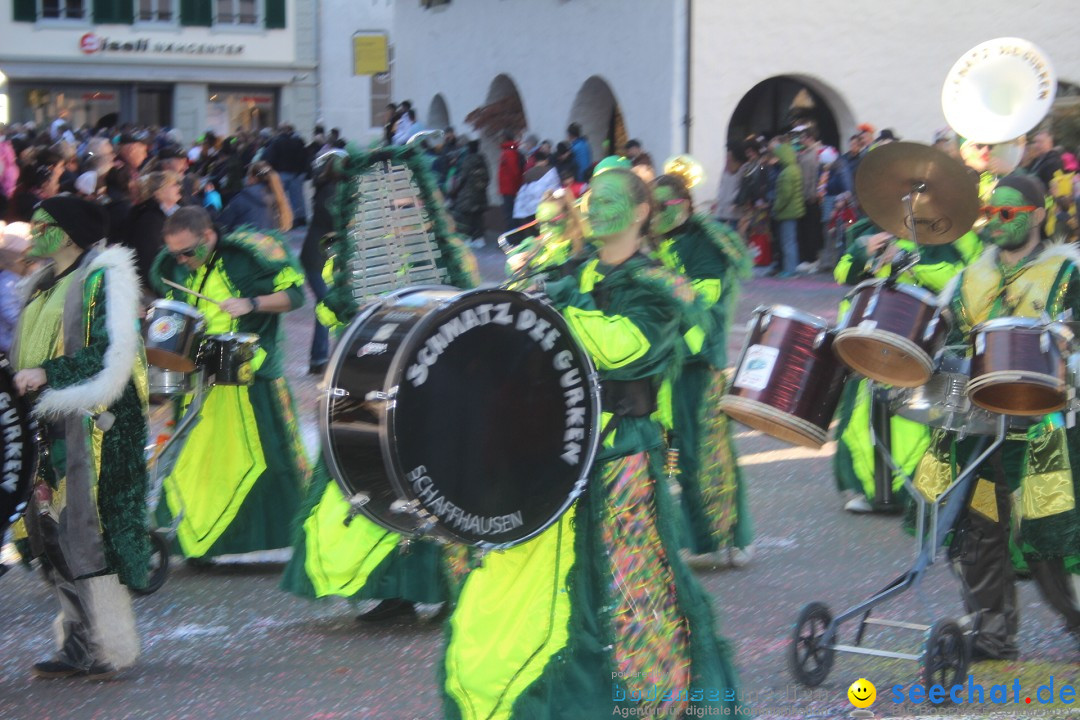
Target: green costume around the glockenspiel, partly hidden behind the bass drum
column 362, row 561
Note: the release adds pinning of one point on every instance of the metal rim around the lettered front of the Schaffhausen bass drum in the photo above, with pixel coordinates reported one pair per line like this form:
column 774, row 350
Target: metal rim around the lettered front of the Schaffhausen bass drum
column 396, row 374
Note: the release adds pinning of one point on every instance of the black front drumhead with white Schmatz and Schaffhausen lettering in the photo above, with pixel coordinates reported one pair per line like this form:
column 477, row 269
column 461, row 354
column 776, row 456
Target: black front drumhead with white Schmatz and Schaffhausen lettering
column 495, row 423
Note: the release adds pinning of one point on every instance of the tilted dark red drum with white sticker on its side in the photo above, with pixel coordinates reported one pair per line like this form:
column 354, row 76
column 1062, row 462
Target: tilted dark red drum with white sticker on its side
column 788, row 383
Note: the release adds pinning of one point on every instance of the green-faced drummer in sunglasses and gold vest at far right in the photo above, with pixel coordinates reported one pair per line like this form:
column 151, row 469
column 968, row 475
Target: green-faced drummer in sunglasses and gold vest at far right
column 1019, row 276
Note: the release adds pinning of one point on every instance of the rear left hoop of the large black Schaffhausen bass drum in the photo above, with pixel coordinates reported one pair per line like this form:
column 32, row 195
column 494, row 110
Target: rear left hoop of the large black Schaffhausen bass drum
column 326, row 407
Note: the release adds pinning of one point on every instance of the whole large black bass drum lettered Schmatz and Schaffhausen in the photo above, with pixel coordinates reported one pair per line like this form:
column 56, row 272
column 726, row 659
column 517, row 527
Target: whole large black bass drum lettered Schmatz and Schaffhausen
column 468, row 416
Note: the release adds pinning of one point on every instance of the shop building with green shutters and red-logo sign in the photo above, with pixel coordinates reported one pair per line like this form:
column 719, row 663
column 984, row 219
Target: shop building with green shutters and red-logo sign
column 195, row 65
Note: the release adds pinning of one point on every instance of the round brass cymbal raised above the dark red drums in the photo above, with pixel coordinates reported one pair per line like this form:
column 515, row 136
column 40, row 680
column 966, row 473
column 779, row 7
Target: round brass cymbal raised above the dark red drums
column 944, row 194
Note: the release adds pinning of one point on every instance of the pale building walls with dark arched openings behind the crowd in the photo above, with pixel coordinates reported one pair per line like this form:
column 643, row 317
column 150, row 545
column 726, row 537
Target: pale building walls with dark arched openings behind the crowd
column 687, row 75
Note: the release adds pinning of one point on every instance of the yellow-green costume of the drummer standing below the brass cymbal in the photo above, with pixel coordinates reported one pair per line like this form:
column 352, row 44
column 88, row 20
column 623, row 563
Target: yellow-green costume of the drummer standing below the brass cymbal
column 856, row 461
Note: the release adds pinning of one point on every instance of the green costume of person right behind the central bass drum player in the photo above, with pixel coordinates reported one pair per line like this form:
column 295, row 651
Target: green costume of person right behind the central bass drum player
column 713, row 496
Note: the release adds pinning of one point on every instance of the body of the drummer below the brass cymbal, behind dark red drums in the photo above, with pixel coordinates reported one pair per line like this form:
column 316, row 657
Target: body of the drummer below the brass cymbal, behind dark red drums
column 857, row 467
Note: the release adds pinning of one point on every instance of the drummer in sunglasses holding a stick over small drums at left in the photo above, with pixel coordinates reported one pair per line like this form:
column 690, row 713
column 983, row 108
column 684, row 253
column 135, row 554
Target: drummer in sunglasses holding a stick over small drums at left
column 241, row 471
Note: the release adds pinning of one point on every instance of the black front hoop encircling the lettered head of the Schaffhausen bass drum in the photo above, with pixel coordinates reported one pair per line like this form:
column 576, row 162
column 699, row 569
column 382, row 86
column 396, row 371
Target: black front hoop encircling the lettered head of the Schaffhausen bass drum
column 396, row 378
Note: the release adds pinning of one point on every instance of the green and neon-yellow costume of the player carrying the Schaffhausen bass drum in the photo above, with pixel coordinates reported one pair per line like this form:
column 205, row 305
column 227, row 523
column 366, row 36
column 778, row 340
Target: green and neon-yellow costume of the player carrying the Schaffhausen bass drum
column 598, row 613
